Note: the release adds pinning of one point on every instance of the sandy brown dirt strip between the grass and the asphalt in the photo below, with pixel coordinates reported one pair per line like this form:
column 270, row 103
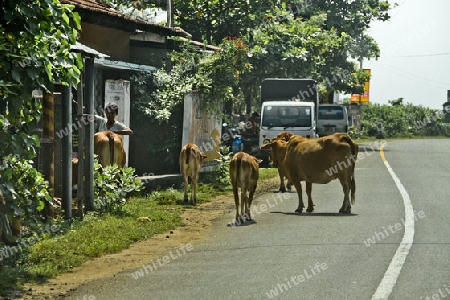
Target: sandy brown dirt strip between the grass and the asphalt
column 197, row 222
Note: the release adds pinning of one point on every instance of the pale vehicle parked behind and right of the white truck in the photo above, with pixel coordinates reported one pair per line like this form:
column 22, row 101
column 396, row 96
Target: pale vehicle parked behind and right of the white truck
column 332, row 118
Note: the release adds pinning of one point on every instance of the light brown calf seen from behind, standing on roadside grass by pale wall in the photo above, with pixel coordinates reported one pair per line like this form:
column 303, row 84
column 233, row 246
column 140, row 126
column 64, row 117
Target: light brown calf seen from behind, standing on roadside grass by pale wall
column 191, row 160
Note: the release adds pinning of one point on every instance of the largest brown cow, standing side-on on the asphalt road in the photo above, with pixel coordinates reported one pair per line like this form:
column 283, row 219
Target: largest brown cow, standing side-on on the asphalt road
column 320, row 160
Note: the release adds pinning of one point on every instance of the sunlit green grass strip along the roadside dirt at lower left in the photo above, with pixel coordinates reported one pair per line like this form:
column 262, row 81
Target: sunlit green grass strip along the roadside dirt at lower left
column 100, row 234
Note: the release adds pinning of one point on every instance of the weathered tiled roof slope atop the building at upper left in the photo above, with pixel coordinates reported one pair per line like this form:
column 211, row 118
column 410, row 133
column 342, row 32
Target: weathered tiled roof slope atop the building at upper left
column 96, row 12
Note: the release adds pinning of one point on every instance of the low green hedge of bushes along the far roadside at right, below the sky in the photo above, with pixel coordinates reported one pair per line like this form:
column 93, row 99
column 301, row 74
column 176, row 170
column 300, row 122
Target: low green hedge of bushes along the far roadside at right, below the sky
column 403, row 121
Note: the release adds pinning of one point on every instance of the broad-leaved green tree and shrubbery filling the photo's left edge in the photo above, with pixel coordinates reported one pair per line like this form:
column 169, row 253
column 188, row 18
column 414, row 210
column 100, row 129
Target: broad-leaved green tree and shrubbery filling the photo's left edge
column 35, row 41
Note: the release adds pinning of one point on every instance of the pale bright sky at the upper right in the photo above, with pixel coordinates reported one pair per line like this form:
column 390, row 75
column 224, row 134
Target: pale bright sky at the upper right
column 415, row 54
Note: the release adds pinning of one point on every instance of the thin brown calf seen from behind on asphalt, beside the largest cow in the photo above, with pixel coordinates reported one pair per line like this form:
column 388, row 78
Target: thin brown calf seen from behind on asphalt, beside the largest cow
column 244, row 173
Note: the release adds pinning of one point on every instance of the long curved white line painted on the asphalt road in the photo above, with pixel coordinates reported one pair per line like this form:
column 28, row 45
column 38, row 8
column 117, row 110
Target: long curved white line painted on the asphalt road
column 390, row 277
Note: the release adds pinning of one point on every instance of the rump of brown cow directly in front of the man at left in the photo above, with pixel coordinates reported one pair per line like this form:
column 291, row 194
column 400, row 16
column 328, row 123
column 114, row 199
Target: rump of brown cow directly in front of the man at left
column 109, row 149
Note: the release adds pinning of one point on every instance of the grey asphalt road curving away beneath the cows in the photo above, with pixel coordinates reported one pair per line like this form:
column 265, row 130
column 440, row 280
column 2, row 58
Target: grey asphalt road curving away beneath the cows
column 320, row 255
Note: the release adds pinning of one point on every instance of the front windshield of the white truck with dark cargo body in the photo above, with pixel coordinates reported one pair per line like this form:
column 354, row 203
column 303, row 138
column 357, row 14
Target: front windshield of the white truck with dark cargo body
column 286, row 116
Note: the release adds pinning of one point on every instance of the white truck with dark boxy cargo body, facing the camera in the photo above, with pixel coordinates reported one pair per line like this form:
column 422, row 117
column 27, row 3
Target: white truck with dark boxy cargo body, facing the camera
column 288, row 105
